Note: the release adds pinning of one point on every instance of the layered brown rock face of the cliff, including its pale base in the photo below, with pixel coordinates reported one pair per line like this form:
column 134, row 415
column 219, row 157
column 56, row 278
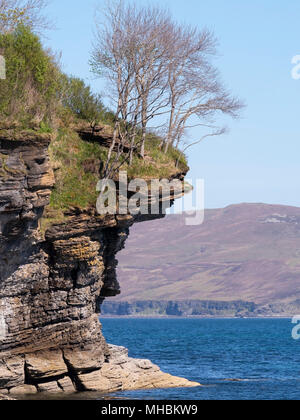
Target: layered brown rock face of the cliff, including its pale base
column 52, row 286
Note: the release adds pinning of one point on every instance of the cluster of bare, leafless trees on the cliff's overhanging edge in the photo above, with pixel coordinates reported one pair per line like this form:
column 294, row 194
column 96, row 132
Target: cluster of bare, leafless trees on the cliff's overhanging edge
column 158, row 71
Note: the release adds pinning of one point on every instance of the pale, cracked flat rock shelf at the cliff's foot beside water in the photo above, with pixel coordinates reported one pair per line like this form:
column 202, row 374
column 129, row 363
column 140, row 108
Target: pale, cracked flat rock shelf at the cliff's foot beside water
column 118, row 373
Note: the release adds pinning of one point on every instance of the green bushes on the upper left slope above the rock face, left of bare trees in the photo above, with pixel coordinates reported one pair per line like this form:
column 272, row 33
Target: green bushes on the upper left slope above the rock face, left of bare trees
column 35, row 93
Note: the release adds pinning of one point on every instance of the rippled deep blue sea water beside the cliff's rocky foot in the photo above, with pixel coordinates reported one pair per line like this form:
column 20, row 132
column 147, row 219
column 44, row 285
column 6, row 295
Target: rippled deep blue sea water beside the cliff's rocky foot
column 234, row 359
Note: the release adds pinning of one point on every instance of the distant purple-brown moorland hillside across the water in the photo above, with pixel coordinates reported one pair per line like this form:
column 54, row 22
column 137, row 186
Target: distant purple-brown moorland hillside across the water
column 247, row 252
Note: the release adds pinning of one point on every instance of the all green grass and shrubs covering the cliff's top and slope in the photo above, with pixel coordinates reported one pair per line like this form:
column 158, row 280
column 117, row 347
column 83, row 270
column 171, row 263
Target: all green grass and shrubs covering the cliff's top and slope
column 36, row 97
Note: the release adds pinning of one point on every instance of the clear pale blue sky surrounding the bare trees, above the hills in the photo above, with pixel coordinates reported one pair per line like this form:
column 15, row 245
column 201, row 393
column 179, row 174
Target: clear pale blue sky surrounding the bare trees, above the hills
column 258, row 161
